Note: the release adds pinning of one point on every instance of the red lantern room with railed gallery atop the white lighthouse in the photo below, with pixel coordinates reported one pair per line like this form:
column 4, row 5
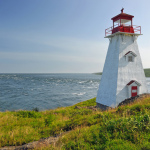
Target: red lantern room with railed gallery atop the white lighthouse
column 123, row 23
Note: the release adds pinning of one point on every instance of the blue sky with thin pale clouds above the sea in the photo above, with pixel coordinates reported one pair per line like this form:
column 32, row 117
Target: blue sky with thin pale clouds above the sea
column 64, row 36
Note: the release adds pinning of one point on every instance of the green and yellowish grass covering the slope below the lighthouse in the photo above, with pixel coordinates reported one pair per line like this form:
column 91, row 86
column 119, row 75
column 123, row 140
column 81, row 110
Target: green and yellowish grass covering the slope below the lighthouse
column 126, row 127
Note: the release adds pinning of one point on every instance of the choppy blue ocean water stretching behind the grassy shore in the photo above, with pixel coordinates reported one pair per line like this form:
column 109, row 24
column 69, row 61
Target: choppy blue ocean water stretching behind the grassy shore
column 46, row 91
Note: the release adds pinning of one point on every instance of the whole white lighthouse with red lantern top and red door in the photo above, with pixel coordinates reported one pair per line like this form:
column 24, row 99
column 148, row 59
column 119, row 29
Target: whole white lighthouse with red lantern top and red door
column 123, row 75
